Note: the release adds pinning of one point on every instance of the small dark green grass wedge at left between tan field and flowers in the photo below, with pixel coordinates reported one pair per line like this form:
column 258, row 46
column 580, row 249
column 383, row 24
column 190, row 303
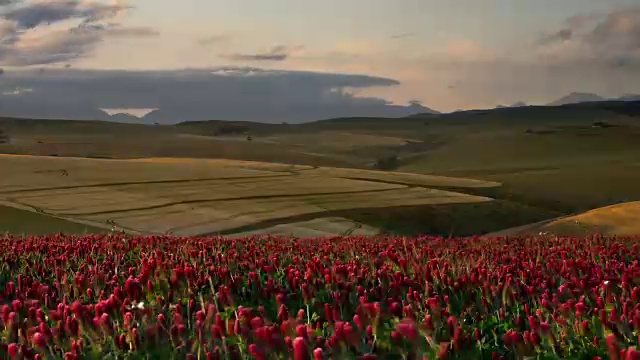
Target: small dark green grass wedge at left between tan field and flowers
column 17, row 221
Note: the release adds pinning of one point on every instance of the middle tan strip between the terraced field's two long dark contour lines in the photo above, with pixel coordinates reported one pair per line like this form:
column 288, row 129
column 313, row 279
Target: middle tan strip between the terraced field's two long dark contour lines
column 80, row 201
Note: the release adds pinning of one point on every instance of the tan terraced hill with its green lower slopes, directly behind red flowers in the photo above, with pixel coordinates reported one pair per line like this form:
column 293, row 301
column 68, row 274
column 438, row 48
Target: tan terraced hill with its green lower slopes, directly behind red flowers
column 200, row 196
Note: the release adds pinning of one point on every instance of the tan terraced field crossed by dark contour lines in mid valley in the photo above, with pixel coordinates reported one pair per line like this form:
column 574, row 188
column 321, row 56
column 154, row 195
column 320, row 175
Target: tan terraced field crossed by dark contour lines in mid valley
column 198, row 196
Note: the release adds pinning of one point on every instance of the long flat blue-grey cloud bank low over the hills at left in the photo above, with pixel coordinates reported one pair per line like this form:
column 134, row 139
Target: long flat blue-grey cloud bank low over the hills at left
column 224, row 93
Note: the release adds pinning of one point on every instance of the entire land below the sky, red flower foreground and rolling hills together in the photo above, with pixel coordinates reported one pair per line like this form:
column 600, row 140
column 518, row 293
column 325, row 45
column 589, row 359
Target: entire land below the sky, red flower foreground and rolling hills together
column 321, row 257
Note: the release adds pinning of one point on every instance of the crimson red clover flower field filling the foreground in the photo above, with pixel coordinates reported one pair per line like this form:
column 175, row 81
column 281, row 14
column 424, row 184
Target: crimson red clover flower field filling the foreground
column 162, row 297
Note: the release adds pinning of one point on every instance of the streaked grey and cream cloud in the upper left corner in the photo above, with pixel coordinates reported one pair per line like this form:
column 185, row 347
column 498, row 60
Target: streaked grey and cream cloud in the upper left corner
column 47, row 31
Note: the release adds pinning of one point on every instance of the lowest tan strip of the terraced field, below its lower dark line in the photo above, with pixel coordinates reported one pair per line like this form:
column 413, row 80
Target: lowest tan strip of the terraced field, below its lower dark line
column 216, row 216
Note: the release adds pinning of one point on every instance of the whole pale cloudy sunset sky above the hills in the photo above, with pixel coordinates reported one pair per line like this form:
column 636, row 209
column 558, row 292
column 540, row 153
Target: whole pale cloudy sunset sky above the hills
column 446, row 54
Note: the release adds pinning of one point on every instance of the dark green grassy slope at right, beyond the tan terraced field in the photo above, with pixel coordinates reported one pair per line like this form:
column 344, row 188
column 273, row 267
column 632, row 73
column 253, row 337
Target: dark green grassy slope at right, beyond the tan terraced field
column 561, row 172
